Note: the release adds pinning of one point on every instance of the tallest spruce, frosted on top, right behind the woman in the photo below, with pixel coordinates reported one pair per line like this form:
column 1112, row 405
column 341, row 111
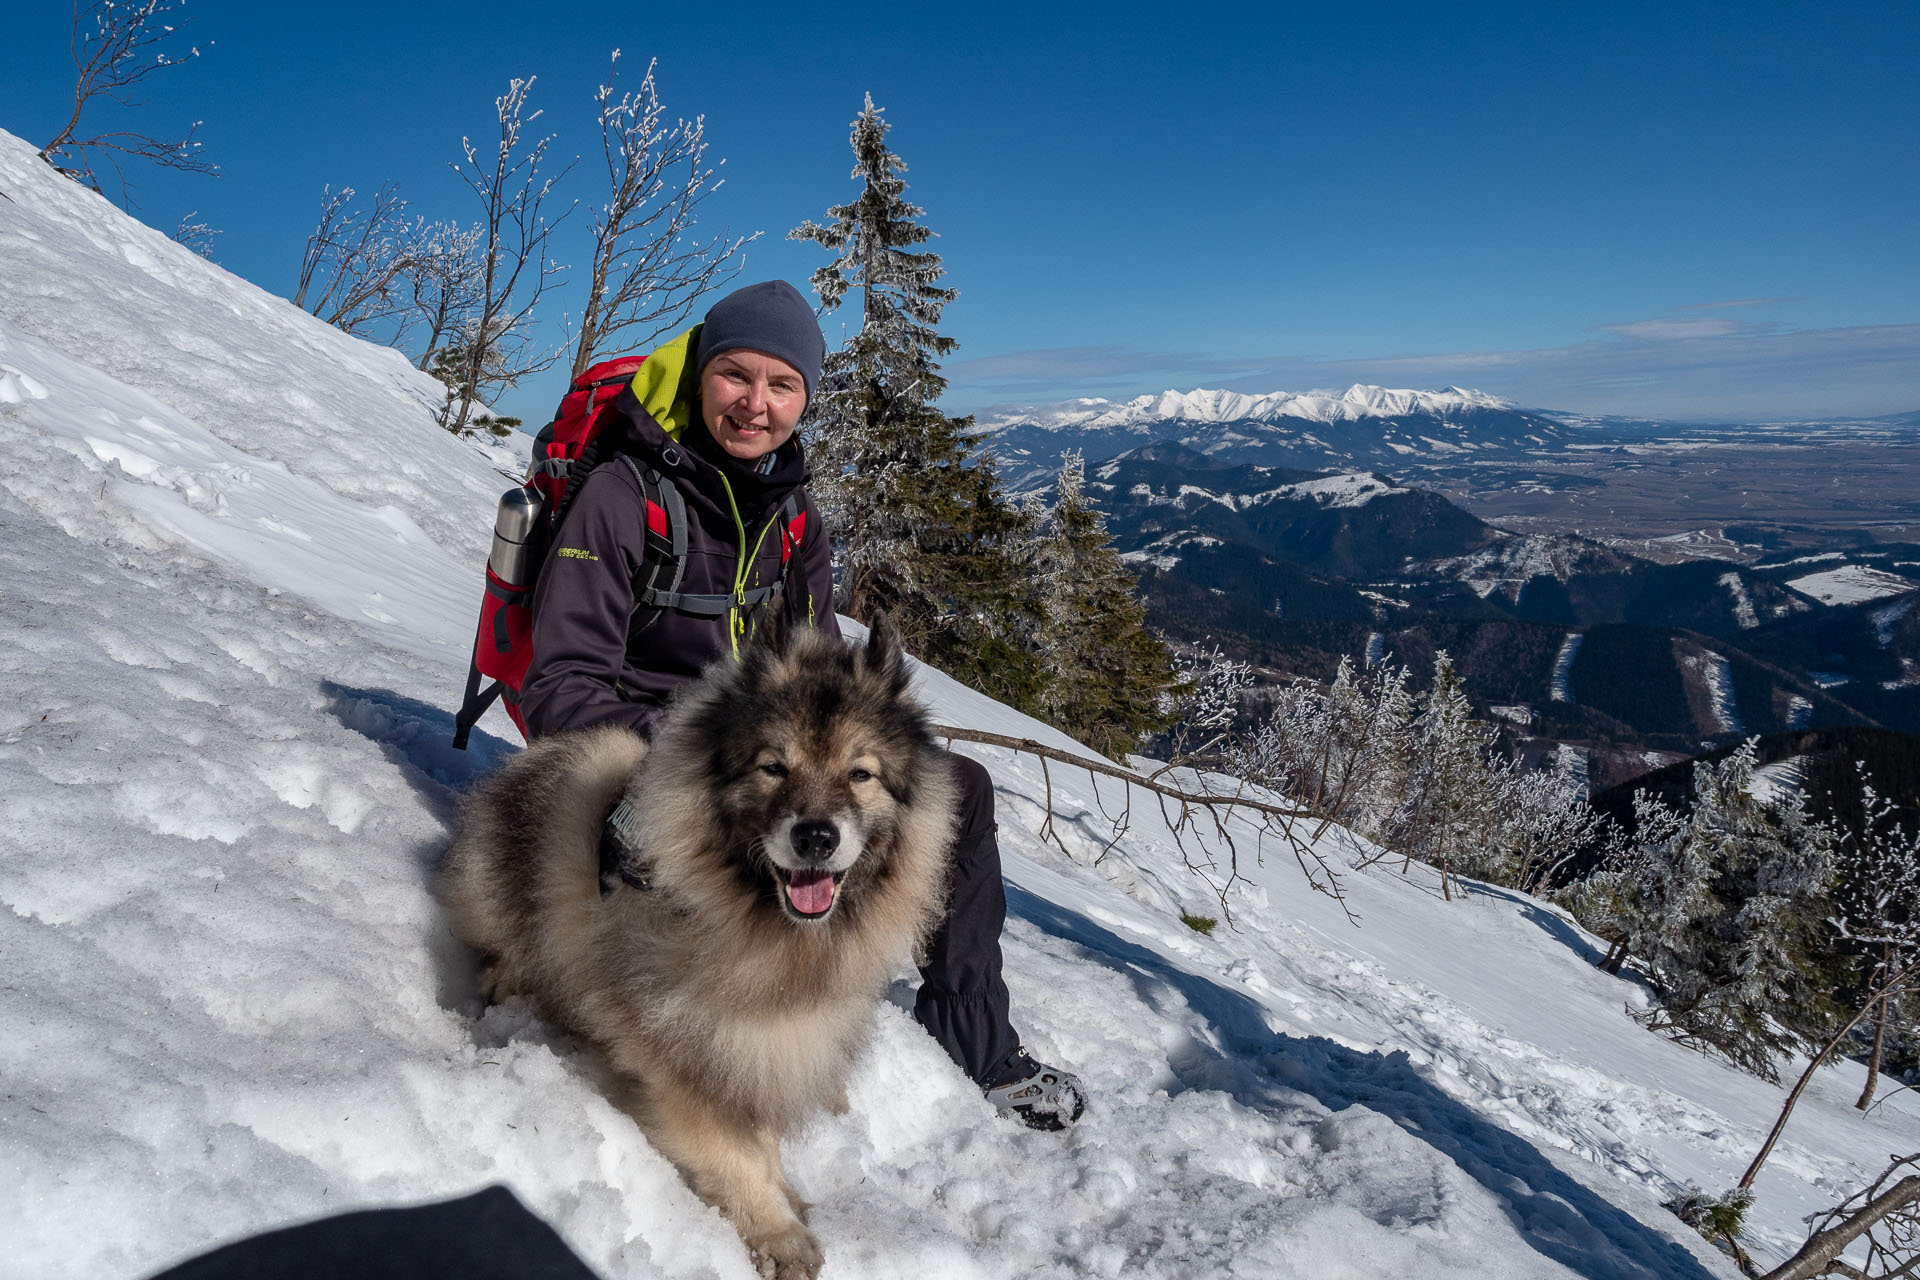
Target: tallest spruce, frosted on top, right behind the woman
column 923, row 523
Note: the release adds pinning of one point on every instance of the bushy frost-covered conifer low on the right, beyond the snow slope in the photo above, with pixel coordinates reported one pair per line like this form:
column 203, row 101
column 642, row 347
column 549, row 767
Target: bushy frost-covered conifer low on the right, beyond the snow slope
column 1731, row 920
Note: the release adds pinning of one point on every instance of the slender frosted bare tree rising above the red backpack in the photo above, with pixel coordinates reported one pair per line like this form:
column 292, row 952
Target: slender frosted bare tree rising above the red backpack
column 510, row 179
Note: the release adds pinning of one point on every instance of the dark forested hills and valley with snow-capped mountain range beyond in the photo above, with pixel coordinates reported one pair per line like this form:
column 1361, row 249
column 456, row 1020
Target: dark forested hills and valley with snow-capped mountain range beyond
column 1621, row 590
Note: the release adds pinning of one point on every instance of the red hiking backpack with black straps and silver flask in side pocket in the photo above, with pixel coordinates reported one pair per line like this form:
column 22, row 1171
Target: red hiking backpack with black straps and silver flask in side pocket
column 523, row 531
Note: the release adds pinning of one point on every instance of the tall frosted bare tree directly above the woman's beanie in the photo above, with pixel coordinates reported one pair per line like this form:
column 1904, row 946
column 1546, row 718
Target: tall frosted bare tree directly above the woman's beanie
column 648, row 266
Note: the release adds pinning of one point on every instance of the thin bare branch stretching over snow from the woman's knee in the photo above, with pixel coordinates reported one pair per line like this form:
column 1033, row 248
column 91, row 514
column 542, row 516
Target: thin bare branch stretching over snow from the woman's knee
column 1191, row 805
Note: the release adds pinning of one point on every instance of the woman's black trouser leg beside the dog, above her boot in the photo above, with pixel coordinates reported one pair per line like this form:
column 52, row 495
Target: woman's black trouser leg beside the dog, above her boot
column 963, row 997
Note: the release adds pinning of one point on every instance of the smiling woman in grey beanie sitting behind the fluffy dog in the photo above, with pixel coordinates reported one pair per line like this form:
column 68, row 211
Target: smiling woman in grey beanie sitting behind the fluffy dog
column 713, row 414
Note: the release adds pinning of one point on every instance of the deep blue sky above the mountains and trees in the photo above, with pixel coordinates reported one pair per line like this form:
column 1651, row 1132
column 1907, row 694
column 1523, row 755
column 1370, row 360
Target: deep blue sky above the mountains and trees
column 1685, row 210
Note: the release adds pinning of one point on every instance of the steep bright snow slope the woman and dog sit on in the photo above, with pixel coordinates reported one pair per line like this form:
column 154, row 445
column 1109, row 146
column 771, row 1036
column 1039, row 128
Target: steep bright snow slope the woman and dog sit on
column 239, row 571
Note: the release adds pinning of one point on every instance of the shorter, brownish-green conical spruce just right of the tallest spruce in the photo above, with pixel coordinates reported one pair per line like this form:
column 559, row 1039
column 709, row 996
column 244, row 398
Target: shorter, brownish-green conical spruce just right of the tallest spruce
column 1107, row 675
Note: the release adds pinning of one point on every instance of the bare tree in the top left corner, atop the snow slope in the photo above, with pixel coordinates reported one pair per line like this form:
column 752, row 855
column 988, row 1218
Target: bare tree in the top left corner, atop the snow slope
column 116, row 47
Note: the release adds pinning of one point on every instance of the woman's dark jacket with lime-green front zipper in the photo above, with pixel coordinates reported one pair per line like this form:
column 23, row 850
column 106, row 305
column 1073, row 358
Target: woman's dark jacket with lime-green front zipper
column 590, row 667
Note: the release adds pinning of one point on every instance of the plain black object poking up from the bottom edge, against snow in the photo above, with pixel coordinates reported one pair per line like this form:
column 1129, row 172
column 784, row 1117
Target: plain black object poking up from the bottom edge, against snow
column 483, row 1237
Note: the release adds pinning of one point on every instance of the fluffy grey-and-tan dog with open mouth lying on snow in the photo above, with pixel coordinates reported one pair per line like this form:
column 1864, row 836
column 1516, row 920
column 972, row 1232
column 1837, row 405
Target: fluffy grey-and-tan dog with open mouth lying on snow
column 723, row 999
